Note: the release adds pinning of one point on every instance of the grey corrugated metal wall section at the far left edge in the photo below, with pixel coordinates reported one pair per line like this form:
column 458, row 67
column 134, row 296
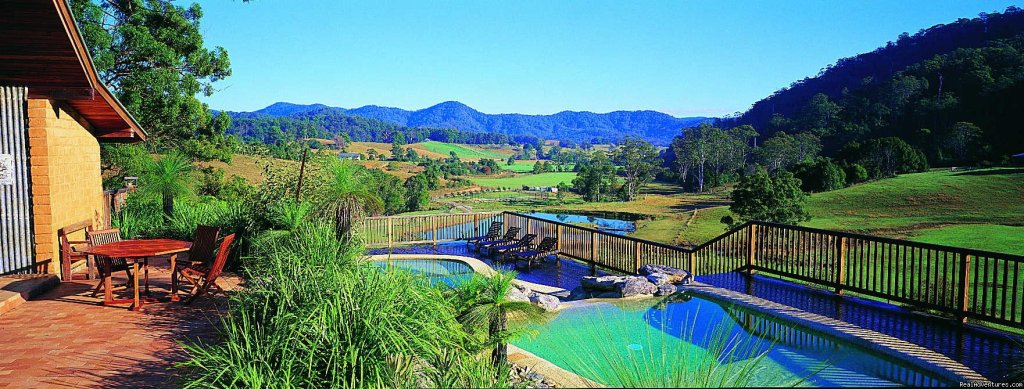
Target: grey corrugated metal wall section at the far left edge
column 16, row 200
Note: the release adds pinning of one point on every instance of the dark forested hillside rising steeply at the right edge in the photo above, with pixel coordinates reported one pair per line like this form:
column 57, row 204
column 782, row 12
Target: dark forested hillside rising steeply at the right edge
column 955, row 92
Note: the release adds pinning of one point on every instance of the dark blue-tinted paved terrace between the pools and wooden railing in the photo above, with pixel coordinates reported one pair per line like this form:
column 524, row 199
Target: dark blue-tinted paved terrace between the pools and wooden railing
column 989, row 353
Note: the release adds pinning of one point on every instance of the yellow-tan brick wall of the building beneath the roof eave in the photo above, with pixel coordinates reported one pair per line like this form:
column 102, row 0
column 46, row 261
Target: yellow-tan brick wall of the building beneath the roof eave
column 67, row 187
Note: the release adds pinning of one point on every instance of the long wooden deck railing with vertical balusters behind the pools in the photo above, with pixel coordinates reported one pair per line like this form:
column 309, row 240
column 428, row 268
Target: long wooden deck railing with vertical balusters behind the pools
column 968, row 284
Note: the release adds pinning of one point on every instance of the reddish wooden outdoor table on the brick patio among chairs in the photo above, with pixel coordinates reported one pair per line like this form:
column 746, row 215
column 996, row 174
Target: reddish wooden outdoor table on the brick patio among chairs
column 135, row 252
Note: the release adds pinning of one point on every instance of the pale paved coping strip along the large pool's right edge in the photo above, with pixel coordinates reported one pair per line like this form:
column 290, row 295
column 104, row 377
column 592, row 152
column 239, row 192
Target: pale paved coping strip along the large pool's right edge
column 874, row 341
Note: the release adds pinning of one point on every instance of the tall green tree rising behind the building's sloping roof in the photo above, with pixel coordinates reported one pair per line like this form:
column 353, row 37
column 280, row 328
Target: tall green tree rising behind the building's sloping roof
column 153, row 56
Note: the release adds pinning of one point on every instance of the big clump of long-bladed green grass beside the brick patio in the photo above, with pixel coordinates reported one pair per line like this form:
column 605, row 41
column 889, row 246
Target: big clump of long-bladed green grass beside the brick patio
column 314, row 315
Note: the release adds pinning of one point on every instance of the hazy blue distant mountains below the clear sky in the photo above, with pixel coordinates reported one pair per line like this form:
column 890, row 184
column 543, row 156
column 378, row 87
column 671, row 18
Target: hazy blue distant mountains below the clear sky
column 657, row 127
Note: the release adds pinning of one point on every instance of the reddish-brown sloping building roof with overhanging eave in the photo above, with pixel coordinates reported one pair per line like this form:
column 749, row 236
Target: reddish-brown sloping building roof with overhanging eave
column 42, row 50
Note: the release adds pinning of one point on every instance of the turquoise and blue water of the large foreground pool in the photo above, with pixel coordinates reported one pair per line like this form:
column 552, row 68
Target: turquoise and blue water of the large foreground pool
column 676, row 335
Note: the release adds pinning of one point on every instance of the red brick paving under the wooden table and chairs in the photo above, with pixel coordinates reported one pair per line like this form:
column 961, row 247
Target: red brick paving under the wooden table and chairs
column 66, row 338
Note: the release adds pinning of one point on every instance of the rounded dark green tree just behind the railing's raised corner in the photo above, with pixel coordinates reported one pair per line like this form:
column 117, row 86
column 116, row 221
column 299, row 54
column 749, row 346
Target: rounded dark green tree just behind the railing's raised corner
column 765, row 198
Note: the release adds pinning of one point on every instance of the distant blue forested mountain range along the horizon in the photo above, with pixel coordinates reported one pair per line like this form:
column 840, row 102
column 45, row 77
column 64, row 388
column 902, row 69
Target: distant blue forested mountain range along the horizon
column 574, row 126
